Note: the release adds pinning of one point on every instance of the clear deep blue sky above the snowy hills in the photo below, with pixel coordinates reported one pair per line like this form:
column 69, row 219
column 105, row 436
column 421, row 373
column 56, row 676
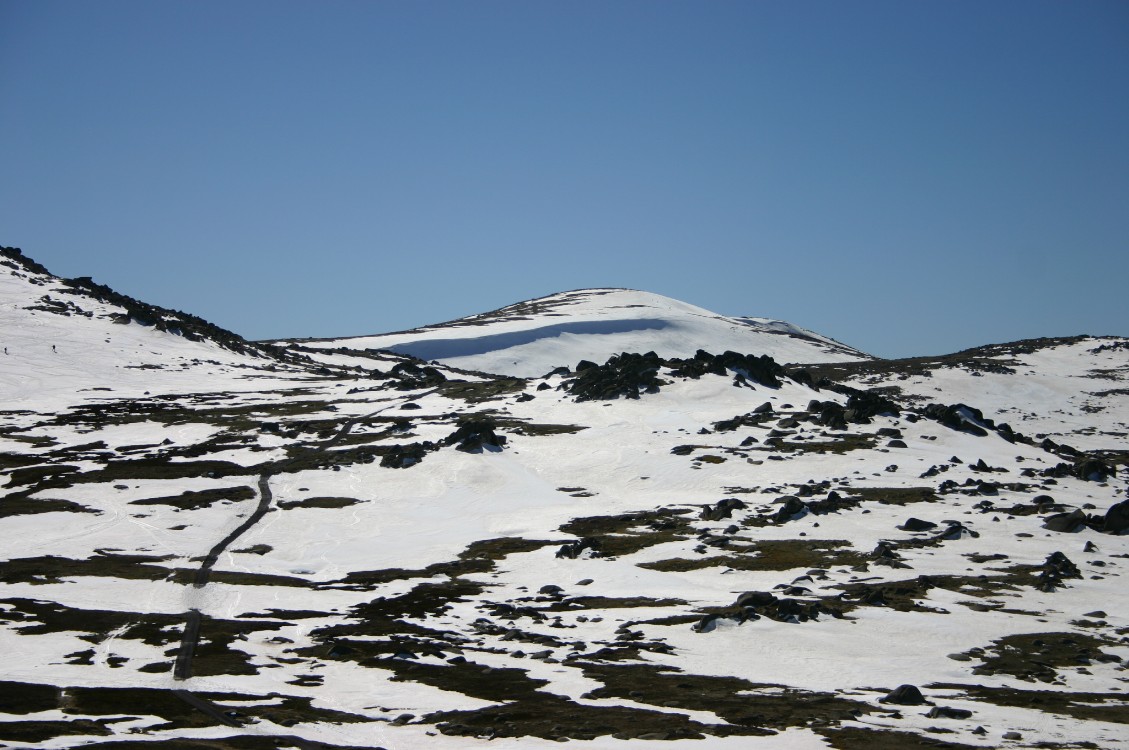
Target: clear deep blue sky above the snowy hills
column 908, row 178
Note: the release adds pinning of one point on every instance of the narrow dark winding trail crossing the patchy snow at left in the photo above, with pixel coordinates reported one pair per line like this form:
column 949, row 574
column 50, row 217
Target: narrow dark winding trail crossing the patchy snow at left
column 182, row 669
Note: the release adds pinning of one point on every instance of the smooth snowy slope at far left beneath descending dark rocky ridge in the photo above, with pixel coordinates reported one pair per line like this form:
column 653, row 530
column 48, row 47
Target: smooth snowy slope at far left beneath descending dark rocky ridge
column 71, row 341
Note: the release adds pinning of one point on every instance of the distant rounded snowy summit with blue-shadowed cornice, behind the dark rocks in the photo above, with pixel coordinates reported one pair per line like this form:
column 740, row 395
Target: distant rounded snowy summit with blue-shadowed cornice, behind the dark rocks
column 531, row 338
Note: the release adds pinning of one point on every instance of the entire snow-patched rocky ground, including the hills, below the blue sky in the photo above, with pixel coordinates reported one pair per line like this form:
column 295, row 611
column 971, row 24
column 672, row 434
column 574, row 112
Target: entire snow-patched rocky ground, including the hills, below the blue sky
column 213, row 544
